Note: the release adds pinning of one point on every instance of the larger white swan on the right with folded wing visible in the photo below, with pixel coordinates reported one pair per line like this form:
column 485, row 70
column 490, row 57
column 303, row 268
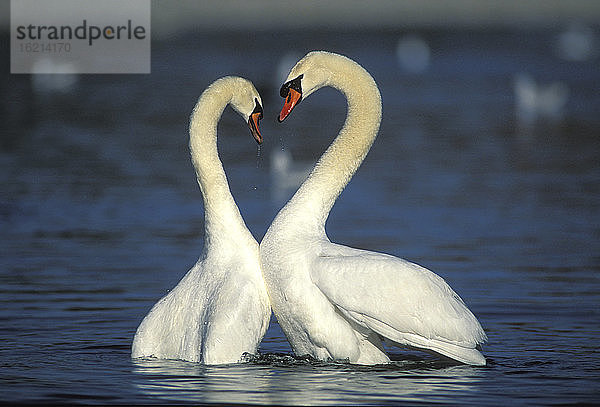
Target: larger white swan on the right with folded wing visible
column 337, row 302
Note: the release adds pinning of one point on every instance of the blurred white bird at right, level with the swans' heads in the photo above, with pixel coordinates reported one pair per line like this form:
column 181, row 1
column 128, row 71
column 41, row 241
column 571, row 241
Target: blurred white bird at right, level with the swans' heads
column 536, row 103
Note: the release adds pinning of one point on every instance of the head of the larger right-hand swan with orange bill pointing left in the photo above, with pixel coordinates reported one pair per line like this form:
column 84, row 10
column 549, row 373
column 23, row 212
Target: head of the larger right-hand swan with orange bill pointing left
column 309, row 74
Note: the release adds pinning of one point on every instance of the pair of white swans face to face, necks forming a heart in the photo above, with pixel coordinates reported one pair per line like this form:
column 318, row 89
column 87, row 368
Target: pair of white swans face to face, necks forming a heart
column 332, row 302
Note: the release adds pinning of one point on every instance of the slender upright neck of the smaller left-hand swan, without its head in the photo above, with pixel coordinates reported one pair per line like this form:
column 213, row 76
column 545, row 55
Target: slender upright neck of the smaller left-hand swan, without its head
column 221, row 214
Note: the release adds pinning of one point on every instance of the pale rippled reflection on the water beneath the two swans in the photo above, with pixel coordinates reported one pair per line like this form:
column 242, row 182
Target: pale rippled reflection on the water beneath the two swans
column 278, row 379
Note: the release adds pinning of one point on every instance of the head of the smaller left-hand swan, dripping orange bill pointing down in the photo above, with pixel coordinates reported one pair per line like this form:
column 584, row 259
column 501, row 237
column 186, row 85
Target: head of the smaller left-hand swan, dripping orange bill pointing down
column 248, row 103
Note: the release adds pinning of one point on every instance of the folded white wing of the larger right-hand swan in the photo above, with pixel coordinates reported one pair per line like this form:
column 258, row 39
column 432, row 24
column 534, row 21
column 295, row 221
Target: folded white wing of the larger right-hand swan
column 401, row 301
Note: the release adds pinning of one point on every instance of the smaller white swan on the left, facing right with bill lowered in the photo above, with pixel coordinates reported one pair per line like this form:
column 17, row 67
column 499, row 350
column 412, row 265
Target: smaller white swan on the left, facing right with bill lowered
column 220, row 309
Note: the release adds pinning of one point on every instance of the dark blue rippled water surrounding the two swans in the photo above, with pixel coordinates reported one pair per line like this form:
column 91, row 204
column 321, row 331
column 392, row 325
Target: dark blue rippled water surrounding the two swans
column 100, row 216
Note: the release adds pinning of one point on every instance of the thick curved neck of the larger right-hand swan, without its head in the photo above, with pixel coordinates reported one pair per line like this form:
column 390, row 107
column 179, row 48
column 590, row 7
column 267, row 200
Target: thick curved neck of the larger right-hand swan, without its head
column 342, row 158
